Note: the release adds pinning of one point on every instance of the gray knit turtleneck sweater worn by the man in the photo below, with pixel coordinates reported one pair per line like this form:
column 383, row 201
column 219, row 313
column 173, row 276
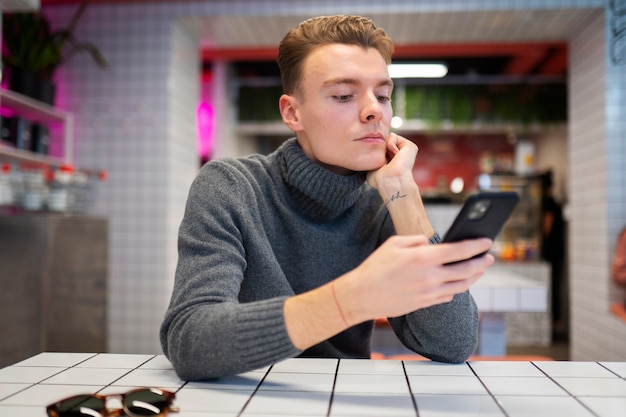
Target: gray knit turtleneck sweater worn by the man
column 259, row 229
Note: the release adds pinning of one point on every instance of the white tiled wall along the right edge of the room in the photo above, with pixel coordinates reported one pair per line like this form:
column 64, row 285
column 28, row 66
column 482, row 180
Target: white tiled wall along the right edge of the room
column 597, row 189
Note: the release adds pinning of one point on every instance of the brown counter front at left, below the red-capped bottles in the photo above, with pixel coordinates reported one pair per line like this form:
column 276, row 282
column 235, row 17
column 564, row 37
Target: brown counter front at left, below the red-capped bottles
column 54, row 274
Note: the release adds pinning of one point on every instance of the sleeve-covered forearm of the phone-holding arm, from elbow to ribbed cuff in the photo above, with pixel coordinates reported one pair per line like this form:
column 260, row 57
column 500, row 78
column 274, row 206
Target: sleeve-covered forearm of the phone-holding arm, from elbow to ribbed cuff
column 216, row 340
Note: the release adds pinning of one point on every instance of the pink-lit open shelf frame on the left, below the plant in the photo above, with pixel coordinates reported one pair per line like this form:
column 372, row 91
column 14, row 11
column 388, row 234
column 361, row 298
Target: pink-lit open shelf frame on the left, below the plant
column 15, row 104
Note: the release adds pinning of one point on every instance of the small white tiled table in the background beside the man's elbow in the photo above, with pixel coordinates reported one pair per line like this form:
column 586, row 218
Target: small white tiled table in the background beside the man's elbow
column 498, row 292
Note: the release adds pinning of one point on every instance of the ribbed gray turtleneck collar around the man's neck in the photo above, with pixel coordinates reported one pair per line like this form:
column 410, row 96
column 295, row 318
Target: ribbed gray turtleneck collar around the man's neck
column 317, row 191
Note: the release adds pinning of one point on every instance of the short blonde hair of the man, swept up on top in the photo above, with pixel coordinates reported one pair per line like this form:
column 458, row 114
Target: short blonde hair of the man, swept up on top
column 325, row 30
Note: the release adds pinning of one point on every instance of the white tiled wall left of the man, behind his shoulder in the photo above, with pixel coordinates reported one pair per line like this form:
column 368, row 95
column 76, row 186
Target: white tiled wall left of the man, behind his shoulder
column 136, row 121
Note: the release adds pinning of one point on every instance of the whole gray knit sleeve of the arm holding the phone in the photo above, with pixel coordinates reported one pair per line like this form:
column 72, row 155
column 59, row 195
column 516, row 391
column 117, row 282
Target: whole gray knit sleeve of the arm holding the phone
column 207, row 331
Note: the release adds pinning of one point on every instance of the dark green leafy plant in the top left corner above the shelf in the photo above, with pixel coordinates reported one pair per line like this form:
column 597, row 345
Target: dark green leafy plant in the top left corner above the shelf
column 30, row 44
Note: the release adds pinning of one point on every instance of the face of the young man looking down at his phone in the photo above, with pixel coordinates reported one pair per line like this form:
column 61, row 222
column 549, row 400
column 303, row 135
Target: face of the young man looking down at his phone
column 343, row 108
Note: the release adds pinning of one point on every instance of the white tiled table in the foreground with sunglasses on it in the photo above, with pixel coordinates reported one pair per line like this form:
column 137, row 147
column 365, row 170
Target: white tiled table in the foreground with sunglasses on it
column 330, row 387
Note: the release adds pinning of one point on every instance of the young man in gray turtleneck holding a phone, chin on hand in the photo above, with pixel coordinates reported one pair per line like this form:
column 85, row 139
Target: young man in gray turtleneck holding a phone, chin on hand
column 296, row 253
